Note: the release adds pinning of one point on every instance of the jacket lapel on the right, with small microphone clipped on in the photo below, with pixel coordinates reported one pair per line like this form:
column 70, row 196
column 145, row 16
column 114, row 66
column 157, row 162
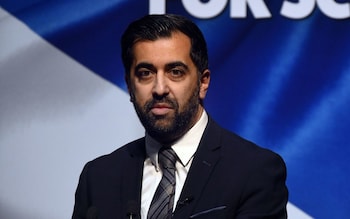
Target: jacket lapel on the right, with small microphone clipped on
column 204, row 162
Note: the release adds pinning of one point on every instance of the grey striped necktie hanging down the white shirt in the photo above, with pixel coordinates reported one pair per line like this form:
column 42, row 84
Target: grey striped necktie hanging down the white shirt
column 163, row 199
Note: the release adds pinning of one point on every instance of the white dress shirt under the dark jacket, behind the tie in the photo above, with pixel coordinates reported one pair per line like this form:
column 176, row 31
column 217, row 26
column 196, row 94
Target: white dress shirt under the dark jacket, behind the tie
column 185, row 149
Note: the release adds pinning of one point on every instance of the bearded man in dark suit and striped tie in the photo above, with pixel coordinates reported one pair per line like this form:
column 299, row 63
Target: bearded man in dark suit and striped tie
column 209, row 172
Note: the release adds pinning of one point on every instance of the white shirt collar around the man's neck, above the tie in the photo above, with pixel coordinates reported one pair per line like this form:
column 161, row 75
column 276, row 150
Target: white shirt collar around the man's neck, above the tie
column 185, row 147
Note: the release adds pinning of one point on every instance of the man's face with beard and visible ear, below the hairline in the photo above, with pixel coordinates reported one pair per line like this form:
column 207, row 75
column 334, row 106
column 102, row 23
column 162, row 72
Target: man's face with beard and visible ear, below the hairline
column 165, row 86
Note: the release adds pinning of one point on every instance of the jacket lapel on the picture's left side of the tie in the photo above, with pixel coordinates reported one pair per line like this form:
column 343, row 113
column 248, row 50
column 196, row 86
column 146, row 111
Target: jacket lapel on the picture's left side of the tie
column 132, row 179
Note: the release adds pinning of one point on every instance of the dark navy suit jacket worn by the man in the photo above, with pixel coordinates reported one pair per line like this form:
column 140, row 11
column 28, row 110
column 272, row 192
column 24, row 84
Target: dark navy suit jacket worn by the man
column 230, row 177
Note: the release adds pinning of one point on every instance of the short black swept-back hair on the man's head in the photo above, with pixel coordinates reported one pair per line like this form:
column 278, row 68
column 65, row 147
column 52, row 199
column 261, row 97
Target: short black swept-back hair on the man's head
column 153, row 27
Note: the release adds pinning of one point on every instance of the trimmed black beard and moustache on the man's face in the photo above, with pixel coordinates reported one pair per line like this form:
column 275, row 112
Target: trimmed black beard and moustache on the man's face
column 177, row 125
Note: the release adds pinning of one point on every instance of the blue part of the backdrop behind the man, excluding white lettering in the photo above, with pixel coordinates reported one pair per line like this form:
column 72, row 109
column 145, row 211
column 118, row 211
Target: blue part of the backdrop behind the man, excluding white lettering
column 282, row 83
